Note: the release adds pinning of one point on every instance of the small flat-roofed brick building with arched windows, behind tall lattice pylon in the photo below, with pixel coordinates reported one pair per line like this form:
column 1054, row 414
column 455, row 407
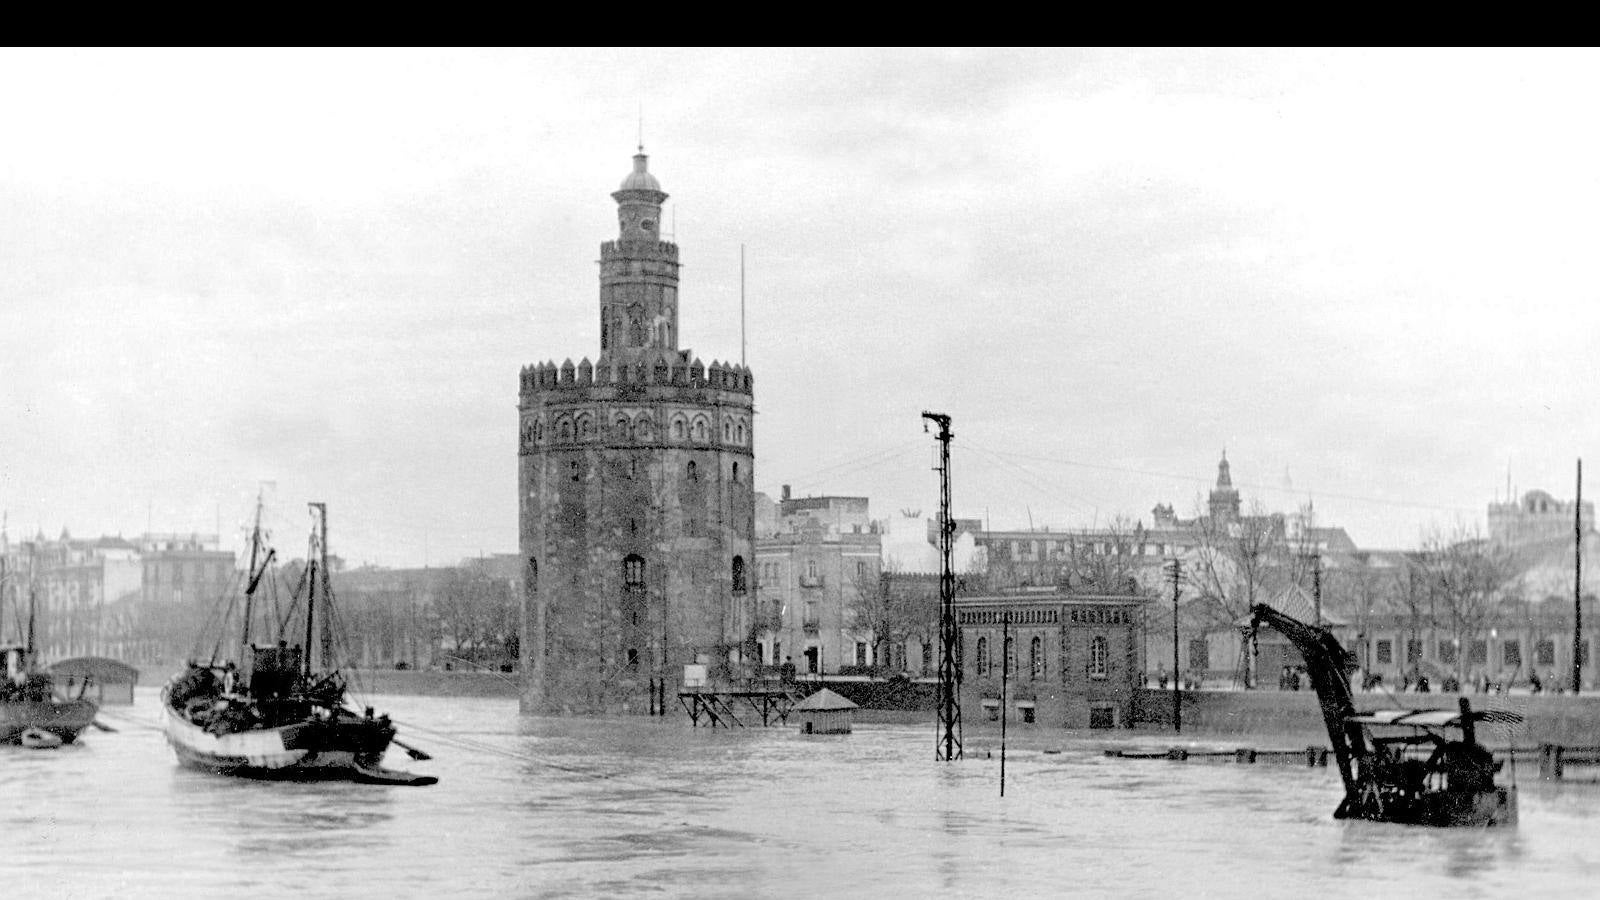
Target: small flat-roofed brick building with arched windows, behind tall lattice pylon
column 1082, row 662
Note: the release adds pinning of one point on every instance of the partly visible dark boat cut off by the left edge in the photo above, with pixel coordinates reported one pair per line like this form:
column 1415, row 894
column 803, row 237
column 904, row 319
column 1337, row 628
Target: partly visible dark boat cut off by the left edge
column 33, row 712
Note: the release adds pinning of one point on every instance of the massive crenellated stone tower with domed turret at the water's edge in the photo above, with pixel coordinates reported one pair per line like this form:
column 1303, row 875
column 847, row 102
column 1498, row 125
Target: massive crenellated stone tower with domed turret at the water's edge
column 636, row 492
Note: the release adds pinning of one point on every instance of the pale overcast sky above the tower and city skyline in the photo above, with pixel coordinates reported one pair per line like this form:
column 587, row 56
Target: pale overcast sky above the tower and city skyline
column 1367, row 275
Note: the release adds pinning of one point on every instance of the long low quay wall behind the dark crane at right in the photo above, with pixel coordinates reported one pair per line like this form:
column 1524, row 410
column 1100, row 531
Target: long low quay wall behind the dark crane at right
column 1566, row 720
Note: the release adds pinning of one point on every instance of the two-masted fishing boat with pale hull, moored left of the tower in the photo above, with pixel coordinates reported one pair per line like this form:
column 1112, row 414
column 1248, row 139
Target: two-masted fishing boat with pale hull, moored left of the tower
column 273, row 713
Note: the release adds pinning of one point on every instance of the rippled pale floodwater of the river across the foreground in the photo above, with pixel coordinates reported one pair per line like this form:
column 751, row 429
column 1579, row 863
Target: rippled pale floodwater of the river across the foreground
column 652, row 808
